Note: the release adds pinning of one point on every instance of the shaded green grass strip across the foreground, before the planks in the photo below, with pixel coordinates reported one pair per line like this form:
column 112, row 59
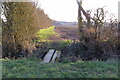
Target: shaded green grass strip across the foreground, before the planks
column 33, row 68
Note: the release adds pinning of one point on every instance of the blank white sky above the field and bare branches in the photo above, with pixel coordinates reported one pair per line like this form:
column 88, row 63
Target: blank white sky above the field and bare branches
column 67, row 10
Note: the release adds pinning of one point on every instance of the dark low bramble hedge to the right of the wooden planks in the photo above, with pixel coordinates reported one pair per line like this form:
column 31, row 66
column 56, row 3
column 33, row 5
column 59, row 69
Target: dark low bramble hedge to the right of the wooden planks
column 92, row 51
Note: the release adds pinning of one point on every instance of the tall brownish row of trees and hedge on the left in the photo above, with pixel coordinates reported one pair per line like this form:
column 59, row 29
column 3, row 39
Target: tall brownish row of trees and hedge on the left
column 23, row 19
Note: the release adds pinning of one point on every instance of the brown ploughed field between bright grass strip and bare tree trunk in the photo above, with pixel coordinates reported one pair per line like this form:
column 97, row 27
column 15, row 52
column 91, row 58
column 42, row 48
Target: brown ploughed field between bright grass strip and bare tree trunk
column 65, row 32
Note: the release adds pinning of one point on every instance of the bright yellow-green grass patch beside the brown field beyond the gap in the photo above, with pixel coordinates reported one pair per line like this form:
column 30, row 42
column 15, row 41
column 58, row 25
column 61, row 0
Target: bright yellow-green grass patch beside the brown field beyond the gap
column 44, row 34
